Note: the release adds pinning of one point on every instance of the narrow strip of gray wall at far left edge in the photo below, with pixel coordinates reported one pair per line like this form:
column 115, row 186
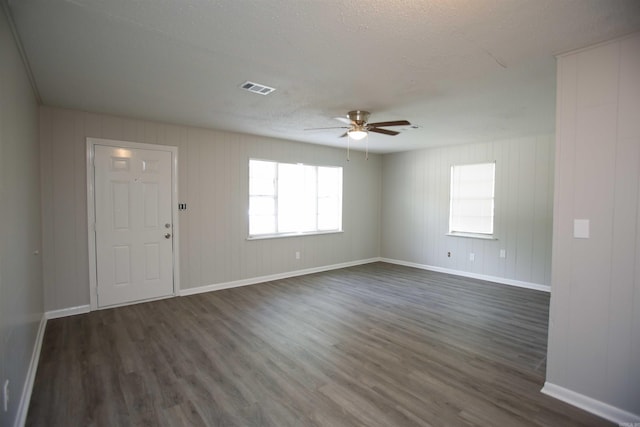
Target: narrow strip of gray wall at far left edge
column 21, row 305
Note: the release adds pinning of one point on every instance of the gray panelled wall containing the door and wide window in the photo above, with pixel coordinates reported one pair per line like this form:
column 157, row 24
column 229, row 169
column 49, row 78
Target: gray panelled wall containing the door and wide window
column 213, row 181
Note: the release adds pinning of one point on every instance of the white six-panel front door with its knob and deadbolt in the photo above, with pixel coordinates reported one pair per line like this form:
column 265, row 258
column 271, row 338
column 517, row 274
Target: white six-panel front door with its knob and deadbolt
column 133, row 224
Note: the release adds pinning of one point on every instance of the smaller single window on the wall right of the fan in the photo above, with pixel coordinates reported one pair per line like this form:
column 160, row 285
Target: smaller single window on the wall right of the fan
column 472, row 193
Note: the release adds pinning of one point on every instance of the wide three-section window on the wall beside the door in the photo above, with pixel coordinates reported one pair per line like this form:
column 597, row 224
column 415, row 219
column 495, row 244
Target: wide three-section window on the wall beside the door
column 286, row 199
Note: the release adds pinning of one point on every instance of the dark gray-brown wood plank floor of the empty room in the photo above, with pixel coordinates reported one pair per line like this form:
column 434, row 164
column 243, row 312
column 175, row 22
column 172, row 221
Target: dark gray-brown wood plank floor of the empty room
column 373, row 345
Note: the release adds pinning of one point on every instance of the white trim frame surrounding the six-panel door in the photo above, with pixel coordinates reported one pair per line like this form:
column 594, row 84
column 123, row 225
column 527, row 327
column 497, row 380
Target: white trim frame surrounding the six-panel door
column 91, row 216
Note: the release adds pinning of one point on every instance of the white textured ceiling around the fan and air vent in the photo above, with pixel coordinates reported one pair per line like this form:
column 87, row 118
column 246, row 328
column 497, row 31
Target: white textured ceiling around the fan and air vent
column 462, row 70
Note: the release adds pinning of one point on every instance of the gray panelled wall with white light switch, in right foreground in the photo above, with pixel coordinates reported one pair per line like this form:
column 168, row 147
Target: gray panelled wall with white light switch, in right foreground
column 594, row 336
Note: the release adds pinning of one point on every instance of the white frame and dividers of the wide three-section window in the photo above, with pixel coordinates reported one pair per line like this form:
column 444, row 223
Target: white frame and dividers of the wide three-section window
column 283, row 234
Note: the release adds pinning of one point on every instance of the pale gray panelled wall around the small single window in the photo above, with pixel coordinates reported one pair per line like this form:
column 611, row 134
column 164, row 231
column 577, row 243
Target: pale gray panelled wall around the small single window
column 415, row 212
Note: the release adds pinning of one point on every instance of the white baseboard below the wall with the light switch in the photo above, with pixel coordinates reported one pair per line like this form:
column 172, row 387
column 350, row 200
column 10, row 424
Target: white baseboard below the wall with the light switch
column 596, row 407
